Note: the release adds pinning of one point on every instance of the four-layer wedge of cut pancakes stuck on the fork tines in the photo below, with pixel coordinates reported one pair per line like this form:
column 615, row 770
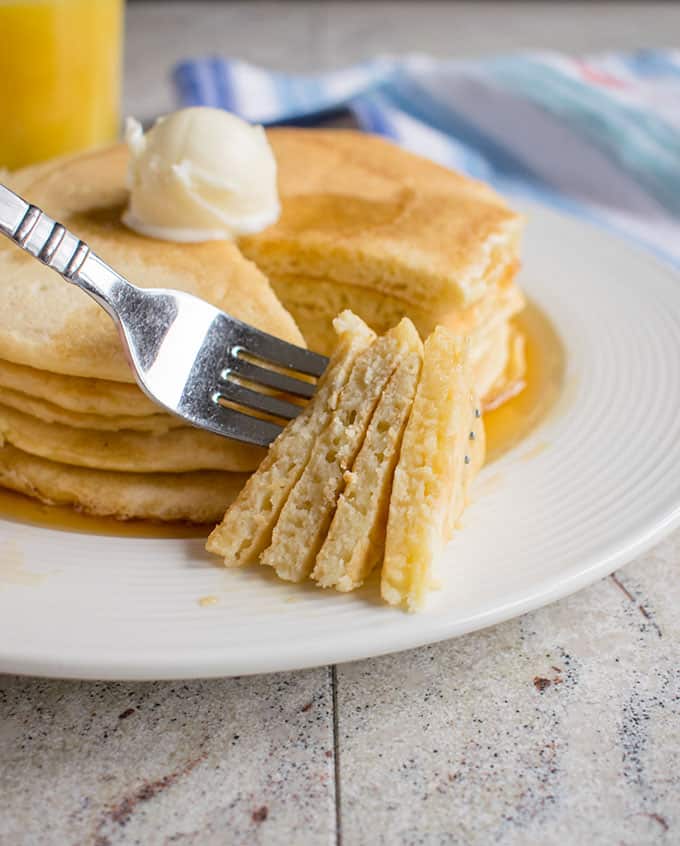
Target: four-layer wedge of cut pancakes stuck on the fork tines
column 372, row 474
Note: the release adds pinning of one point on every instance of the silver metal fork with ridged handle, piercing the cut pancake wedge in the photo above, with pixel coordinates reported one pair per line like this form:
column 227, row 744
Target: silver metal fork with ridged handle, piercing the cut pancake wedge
column 194, row 360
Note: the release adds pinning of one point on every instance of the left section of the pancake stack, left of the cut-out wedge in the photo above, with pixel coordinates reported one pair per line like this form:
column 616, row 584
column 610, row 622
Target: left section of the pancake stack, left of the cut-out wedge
column 74, row 426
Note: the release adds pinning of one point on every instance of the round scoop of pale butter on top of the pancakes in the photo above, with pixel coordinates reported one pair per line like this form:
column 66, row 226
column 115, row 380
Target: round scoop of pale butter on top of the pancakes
column 200, row 174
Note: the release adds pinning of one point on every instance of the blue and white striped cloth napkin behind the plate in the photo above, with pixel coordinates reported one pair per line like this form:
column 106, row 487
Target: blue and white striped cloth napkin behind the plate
column 598, row 138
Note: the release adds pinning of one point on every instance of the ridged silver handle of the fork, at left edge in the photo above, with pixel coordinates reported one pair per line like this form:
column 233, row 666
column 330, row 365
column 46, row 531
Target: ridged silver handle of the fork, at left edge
column 52, row 244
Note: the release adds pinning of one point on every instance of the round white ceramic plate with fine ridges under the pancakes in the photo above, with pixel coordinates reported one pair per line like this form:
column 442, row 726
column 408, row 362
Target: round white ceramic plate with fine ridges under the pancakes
column 602, row 485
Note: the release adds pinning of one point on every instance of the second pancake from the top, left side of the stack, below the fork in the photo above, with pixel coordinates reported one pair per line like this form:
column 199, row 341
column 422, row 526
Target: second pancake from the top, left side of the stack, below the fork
column 77, row 394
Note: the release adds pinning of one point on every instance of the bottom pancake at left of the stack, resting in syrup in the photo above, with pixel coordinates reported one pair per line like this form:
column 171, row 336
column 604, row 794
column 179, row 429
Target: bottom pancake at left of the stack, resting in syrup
column 195, row 497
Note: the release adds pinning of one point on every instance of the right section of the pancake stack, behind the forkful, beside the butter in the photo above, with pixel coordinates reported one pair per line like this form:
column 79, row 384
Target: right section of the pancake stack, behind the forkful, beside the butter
column 369, row 227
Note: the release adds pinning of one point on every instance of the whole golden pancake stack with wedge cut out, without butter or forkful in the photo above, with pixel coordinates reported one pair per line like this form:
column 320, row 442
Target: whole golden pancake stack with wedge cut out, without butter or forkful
column 364, row 226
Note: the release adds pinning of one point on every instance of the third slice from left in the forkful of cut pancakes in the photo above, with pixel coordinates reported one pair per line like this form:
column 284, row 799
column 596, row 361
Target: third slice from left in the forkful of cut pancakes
column 356, row 539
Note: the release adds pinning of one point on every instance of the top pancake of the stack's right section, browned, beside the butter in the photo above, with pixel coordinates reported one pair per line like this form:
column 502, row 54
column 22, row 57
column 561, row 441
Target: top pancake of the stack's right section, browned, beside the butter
column 359, row 210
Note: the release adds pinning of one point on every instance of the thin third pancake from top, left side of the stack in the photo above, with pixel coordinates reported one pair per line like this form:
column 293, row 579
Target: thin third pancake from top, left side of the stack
column 48, row 412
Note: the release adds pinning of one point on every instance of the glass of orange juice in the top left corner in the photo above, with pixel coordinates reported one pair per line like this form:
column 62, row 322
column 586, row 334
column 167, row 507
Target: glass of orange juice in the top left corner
column 60, row 77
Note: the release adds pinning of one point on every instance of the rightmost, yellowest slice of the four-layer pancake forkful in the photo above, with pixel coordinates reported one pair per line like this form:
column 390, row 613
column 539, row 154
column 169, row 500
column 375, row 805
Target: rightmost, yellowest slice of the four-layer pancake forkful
column 434, row 469
